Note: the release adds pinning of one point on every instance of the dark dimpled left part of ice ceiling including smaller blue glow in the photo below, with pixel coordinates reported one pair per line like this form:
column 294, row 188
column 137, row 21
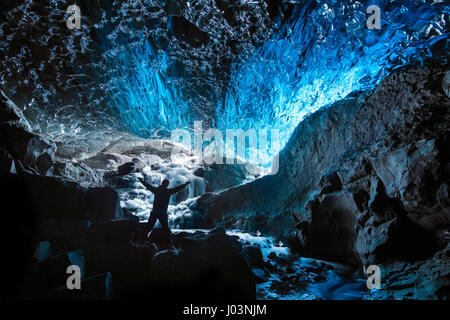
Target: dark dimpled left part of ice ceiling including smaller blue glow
column 140, row 66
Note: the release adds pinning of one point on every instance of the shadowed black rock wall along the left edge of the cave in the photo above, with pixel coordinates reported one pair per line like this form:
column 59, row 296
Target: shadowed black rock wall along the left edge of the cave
column 46, row 219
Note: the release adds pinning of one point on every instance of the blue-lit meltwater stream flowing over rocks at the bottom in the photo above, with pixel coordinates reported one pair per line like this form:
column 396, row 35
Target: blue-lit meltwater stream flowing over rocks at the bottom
column 298, row 278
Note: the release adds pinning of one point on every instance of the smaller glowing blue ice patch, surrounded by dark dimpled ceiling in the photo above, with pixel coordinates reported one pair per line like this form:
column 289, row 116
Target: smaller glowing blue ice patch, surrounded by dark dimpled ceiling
column 144, row 97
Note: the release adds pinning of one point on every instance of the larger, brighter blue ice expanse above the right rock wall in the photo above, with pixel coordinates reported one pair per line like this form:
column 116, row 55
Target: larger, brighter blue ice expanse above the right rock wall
column 323, row 53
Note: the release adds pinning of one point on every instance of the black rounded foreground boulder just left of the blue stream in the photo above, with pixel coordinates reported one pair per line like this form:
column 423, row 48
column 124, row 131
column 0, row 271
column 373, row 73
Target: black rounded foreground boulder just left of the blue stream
column 212, row 266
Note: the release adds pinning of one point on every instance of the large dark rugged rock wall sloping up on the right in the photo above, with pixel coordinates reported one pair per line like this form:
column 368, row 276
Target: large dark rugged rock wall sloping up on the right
column 365, row 180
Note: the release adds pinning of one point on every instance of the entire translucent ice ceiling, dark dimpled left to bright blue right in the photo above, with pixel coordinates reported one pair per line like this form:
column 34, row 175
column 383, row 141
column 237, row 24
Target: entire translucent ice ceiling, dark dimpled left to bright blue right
column 148, row 66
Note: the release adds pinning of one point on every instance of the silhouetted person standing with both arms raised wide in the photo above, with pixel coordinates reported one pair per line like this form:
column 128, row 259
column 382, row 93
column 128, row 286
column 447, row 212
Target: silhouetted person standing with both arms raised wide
column 160, row 204
